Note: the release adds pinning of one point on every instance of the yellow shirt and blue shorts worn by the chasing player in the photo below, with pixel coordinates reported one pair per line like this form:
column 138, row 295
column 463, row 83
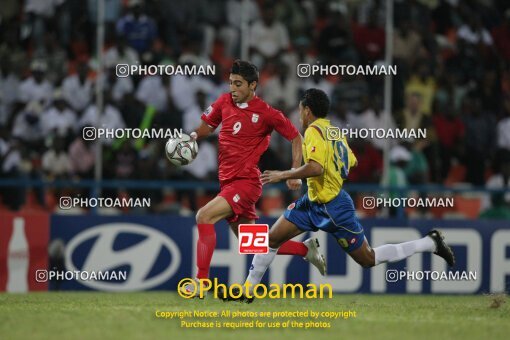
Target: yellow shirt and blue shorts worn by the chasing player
column 326, row 206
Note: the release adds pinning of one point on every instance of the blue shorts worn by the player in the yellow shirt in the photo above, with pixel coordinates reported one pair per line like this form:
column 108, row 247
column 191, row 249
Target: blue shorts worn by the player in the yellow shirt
column 337, row 217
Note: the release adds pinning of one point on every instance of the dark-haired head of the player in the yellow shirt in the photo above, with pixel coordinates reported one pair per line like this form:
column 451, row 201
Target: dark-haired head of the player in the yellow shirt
column 313, row 104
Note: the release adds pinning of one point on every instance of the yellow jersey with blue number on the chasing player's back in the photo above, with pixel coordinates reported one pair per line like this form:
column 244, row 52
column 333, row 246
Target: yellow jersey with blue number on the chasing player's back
column 334, row 156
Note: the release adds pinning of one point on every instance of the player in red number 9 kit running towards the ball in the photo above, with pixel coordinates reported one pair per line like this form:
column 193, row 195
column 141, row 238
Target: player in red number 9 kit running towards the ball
column 247, row 122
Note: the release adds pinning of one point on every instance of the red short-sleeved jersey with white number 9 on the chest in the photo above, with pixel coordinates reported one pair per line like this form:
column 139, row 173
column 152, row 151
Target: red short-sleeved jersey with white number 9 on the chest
column 245, row 134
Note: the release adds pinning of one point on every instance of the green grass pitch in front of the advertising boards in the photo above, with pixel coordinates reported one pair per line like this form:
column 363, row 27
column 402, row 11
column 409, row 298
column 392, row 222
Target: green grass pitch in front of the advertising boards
column 92, row 315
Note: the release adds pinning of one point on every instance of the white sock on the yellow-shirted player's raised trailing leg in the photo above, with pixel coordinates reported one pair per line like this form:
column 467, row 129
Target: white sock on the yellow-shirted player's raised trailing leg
column 400, row 251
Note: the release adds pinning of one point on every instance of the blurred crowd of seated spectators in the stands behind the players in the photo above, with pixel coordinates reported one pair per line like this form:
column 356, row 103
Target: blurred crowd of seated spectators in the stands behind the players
column 453, row 79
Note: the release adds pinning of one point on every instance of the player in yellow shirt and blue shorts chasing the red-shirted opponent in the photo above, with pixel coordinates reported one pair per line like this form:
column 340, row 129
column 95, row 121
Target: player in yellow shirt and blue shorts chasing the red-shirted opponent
column 326, row 206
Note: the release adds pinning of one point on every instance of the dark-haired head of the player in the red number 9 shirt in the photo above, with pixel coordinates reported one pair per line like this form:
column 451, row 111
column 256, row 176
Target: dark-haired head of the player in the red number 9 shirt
column 244, row 77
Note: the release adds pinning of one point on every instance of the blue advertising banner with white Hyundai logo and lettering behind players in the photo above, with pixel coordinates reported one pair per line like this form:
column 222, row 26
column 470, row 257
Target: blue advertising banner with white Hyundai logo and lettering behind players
column 156, row 252
